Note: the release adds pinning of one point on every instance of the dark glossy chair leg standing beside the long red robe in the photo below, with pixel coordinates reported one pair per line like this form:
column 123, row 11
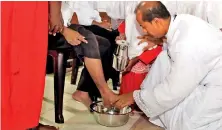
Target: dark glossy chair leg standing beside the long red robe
column 59, row 81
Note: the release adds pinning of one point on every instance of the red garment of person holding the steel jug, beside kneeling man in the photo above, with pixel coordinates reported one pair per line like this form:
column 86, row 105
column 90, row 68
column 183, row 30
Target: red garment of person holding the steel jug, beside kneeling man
column 132, row 81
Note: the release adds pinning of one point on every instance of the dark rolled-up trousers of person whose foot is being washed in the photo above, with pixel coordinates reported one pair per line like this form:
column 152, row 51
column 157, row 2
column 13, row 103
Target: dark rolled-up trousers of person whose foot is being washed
column 93, row 49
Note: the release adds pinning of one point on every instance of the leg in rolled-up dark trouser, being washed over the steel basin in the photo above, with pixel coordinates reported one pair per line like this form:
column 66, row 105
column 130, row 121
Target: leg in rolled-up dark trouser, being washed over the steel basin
column 91, row 56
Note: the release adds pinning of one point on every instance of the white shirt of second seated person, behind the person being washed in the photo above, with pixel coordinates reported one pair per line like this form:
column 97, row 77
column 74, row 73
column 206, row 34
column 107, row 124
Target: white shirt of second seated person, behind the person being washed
column 86, row 13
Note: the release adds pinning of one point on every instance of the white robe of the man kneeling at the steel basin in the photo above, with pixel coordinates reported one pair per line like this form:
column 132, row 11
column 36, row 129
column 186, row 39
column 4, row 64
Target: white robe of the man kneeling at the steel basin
column 185, row 91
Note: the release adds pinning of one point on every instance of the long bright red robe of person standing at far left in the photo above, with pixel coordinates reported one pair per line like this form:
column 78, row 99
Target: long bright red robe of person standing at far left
column 24, row 50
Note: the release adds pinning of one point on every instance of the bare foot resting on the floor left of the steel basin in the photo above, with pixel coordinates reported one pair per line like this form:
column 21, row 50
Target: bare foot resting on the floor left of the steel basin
column 82, row 97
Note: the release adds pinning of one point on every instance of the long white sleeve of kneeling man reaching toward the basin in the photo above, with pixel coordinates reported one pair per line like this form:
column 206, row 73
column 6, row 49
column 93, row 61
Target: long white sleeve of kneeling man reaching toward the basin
column 186, row 72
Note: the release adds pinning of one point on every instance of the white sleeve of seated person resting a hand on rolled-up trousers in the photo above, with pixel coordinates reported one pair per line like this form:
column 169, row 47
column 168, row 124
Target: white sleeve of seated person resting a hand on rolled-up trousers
column 67, row 11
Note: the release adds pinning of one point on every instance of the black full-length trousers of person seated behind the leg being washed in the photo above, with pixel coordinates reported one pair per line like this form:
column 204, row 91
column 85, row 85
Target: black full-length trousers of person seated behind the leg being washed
column 86, row 83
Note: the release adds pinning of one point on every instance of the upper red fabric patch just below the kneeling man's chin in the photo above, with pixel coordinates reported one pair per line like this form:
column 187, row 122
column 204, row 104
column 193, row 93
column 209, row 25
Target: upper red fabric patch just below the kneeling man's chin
column 148, row 56
